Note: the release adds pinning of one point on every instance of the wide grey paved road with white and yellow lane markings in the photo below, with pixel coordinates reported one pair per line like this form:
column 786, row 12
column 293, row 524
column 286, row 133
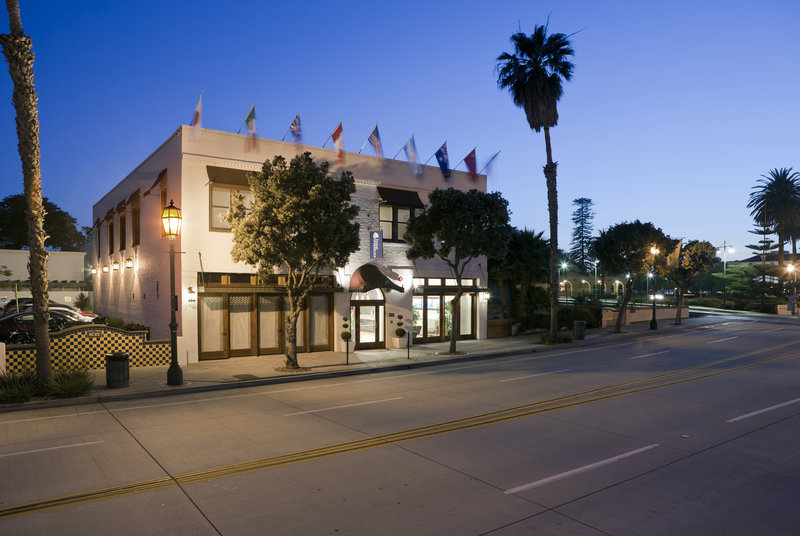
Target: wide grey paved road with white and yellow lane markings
column 695, row 432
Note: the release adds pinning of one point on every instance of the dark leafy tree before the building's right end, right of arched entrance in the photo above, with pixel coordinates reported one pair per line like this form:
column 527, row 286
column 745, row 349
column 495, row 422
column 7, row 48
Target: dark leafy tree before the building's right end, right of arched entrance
column 458, row 227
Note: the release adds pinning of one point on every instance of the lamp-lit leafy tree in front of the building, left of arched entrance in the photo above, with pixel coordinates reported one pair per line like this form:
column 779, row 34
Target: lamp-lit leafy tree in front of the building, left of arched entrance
column 300, row 221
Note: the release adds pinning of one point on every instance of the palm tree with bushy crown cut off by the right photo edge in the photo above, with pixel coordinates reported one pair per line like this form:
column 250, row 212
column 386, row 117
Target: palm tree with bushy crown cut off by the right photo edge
column 775, row 202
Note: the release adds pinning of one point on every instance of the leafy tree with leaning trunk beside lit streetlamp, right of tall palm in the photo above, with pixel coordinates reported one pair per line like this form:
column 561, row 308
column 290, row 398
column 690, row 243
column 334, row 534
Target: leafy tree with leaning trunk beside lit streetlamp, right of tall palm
column 626, row 248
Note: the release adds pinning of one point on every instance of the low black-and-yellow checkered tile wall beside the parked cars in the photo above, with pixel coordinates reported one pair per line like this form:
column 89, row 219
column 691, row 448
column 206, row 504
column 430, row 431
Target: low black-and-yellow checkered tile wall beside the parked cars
column 87, row 346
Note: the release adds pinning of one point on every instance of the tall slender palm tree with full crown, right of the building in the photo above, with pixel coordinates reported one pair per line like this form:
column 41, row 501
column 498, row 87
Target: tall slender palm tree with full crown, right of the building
column 533, row 75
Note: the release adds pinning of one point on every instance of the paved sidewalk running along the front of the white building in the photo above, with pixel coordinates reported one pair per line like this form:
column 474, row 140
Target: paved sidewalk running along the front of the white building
column 251, row 371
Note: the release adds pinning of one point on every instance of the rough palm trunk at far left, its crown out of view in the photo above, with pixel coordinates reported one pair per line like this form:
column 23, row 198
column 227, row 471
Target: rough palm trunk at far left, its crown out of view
column 18, row 50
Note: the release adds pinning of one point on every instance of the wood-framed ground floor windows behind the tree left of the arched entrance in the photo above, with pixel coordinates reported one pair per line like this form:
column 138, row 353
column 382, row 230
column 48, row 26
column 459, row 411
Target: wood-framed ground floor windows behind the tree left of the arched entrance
column 248, row 323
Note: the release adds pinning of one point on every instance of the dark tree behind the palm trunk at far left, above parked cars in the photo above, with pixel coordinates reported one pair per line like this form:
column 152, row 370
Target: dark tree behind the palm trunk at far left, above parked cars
column 60, row 227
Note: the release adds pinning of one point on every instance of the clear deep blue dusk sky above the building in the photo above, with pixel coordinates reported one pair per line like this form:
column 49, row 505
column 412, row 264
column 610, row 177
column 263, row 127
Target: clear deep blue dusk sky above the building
column 674, row 112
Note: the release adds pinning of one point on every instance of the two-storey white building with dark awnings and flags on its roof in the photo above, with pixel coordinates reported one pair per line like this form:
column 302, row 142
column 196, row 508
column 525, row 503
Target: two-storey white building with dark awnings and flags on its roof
column 223, row 310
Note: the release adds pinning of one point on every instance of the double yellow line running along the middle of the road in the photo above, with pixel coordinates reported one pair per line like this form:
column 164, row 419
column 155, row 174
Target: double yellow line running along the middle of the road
column 587, row 397
